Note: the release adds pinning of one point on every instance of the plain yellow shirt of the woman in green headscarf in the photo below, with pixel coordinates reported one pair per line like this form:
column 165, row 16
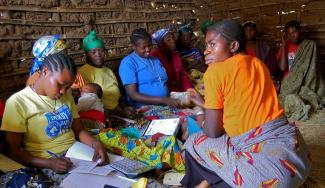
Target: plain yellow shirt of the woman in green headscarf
column 106, row 79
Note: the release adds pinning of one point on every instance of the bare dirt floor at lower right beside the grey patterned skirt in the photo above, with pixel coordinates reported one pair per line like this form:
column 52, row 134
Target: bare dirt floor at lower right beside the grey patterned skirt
column 313, row 132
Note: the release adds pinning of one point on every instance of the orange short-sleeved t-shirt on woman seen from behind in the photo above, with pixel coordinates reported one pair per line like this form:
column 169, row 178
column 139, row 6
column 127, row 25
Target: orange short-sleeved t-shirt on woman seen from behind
column 242, row 87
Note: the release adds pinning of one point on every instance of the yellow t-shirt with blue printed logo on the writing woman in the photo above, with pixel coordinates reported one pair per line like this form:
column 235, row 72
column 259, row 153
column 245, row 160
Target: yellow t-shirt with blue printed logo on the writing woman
column 44, row 130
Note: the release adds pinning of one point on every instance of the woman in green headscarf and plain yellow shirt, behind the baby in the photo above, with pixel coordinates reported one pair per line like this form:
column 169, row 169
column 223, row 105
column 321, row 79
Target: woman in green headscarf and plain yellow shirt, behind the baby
column 94, row 70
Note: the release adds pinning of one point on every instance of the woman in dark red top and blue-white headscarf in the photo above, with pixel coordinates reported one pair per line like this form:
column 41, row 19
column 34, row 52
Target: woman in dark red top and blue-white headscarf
column 178, row 79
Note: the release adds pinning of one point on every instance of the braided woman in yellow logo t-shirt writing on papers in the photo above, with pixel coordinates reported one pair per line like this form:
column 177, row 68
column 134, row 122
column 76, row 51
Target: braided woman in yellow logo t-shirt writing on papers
column 42, row 119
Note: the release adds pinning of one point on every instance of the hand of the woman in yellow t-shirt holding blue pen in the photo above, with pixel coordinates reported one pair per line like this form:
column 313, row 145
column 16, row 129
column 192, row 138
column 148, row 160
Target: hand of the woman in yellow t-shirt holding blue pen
column 60, row 165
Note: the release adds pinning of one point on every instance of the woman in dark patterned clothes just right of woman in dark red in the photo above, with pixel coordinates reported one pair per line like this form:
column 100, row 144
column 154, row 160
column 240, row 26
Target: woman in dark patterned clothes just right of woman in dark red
column 191, row 56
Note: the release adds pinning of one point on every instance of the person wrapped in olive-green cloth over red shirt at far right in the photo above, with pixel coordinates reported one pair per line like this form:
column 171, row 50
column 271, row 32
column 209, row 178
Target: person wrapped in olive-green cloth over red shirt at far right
column 302, row 88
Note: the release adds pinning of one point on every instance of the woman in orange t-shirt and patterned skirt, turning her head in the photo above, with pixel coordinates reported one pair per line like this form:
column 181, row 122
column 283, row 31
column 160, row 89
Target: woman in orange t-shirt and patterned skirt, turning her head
column 246, row 140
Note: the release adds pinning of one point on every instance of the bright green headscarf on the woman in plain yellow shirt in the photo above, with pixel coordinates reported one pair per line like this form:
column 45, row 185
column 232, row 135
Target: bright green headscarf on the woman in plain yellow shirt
column 91, row 41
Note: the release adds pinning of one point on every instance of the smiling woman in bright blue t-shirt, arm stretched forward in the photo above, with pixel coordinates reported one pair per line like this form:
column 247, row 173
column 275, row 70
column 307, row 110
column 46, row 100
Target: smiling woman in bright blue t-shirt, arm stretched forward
column 142, row 75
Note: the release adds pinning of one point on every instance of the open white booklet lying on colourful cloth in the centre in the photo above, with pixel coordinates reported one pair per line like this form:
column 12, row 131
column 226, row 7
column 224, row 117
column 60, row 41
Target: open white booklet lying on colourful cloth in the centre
column 163, row 126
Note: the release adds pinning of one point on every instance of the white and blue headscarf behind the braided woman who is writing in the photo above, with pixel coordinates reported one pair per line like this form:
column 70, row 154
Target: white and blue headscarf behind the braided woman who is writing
column 43, row 47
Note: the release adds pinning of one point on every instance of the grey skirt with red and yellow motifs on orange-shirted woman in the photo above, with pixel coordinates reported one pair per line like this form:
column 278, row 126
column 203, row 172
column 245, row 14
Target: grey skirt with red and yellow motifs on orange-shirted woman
column 271, row 155
